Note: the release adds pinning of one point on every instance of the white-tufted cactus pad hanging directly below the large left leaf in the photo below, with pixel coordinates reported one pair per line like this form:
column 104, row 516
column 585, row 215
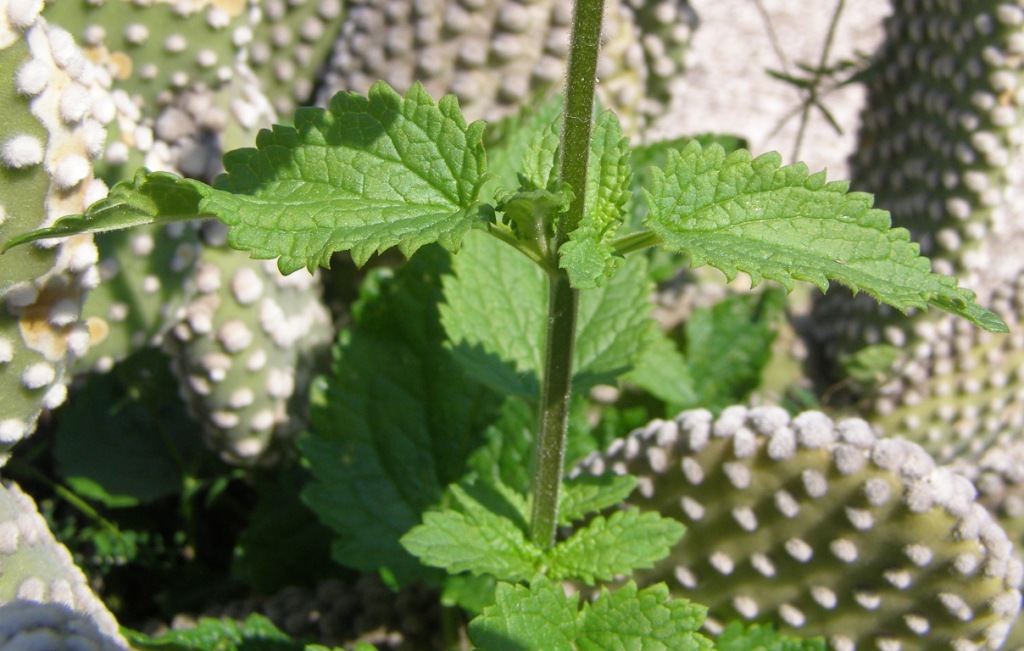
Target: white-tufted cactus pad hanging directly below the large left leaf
column 245, row 350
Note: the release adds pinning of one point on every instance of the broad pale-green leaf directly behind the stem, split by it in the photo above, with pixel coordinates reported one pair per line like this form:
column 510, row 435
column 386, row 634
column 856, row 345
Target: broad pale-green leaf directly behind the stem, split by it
column 495, row 315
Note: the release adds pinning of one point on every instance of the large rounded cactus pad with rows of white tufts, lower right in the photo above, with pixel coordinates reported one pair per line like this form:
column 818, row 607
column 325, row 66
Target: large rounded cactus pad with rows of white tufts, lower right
column 824, row 529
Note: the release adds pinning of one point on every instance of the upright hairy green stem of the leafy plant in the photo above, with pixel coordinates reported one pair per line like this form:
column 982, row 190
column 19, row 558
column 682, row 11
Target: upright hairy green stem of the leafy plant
column 563, row 298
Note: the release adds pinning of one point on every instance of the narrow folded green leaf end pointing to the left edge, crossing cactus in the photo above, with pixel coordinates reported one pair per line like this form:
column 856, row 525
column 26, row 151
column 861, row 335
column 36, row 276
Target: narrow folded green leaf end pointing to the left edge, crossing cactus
column 149, row 198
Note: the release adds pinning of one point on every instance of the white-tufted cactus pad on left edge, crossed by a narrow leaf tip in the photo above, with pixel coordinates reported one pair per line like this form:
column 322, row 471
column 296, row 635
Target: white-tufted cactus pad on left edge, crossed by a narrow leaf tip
column 49, row 139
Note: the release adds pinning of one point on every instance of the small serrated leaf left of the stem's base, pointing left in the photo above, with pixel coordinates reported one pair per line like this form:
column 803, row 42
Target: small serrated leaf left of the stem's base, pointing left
column 477, row 540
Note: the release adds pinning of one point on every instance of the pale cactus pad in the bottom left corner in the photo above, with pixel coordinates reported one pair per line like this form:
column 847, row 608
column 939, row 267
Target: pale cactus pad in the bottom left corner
column 38, row 570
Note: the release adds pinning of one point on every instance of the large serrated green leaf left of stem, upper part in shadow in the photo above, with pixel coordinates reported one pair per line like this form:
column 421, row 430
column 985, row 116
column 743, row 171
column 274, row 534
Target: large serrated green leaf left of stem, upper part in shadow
column 365, row 176
